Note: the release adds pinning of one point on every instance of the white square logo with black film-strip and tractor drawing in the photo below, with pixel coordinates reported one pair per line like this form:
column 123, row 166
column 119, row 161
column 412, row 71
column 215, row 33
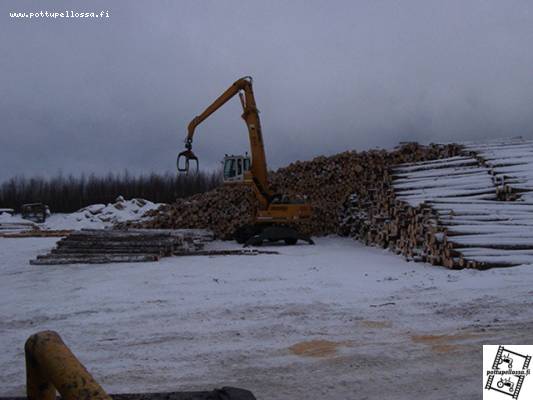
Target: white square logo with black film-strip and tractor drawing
column 508, row 376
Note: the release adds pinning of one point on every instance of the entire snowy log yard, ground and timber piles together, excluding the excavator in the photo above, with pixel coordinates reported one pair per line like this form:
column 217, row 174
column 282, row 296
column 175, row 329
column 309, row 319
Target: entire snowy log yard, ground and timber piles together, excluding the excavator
column 408, row 275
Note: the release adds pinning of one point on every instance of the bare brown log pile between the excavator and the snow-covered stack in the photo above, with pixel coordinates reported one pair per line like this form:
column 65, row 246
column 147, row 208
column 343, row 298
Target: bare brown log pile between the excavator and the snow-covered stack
column 351, row 179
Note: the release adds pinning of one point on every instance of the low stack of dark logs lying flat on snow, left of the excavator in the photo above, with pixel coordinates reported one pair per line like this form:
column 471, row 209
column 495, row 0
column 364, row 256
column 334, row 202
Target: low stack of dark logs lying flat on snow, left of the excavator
column 93, row 246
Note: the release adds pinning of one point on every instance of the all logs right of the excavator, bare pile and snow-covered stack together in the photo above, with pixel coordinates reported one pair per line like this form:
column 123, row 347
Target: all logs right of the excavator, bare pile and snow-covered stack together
column 454, row 206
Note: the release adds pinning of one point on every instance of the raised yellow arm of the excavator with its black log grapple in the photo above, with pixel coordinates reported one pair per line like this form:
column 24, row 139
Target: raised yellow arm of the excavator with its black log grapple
column 250, row 114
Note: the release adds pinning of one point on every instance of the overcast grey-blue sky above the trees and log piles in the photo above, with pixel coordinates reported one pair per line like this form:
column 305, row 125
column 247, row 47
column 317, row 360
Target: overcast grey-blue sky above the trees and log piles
column 114, row 93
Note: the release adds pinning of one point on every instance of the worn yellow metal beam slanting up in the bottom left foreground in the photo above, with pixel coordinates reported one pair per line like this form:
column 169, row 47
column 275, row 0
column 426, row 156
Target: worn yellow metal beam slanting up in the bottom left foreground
column 50, row 365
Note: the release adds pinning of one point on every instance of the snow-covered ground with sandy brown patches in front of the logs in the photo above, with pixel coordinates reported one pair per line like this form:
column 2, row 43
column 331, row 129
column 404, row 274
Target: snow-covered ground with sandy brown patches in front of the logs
column 335, row 320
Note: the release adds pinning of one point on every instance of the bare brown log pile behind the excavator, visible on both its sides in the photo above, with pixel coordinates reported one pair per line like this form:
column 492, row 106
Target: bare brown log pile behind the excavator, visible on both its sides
column 325, row 181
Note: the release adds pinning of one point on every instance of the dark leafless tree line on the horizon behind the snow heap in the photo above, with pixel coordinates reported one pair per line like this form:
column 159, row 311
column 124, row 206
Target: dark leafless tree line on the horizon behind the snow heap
column 70, row 193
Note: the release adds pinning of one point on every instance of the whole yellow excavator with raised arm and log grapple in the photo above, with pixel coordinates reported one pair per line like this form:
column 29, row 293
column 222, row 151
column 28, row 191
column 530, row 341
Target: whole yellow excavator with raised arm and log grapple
column 277, row 217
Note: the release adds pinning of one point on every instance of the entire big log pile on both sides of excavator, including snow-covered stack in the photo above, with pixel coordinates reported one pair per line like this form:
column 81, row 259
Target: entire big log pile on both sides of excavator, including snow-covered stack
column 452, row 205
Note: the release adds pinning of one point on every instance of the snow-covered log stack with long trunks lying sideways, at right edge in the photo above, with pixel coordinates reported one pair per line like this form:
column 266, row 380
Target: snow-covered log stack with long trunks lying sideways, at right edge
column 473, row 211
